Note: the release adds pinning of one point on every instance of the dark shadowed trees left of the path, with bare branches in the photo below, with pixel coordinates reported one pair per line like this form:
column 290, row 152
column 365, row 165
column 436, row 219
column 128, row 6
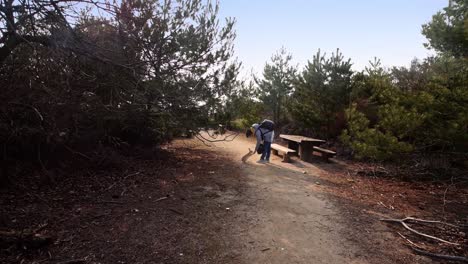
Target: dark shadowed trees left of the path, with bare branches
column 82, row 78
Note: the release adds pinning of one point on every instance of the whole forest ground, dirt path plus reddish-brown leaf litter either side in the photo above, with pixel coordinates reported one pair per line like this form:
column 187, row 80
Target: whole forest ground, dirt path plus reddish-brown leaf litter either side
column 193, row 203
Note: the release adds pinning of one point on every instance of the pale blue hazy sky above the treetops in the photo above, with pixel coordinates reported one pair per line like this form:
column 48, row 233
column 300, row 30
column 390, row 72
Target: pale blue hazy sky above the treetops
column 362, row 29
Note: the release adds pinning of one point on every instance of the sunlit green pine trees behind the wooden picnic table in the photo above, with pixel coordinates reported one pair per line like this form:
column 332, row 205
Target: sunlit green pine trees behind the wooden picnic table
column 380, row 114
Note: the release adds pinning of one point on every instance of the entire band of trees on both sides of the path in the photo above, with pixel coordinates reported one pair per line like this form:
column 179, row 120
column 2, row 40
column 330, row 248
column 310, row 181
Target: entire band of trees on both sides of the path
column 81, row 79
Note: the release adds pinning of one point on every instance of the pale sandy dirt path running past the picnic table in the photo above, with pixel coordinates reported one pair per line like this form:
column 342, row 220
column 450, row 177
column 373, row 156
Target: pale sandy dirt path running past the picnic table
column 282, row 218
